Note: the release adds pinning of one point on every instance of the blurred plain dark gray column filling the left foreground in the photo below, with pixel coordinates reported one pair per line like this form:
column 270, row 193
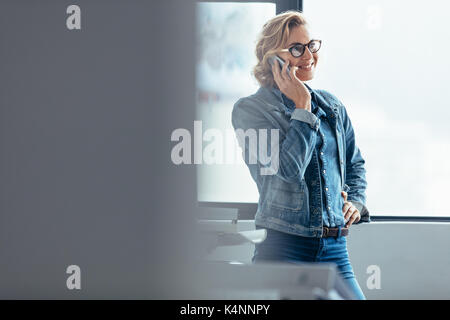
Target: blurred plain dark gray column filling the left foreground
column 85, row 171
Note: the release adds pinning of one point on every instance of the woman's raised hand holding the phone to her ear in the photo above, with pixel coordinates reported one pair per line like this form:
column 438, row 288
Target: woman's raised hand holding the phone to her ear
column 292, row 87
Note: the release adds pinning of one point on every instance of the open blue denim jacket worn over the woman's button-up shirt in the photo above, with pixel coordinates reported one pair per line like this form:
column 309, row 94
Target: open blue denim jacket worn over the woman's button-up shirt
column 290, row 194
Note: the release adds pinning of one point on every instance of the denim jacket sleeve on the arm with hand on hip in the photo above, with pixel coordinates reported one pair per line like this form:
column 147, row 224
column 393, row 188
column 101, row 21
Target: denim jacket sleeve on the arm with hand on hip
column 355, row 177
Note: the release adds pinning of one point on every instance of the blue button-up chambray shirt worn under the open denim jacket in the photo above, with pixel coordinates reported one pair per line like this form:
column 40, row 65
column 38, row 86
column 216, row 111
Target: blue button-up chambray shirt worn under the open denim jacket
column 326, row 148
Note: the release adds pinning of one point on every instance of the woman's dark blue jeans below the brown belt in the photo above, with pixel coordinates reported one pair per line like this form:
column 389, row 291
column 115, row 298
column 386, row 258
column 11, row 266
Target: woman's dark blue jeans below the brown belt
column 285, row 247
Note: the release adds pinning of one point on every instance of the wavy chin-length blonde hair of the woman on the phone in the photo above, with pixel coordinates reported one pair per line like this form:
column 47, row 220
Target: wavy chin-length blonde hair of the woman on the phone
column 273, row 37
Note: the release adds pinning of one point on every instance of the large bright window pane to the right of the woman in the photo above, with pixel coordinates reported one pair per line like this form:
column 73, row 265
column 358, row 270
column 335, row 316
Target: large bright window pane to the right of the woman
column 387, row 61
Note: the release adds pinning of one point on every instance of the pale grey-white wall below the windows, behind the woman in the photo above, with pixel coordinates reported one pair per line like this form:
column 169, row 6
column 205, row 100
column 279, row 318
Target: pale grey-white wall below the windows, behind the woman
column 414, row 257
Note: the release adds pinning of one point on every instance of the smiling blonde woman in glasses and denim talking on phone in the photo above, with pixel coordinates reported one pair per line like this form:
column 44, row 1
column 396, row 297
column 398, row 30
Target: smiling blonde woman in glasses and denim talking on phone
column 317, row 189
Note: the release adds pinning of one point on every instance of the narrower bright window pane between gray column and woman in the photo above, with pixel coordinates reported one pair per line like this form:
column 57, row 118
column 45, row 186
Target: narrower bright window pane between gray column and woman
column 226, row 34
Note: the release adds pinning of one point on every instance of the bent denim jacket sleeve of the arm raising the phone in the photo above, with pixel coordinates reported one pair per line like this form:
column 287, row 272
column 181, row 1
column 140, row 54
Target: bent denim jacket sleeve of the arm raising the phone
column 295, row 145
